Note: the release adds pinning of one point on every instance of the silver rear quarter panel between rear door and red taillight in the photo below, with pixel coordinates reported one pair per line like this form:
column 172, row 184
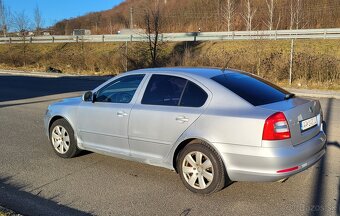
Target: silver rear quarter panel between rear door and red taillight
column 213, row 126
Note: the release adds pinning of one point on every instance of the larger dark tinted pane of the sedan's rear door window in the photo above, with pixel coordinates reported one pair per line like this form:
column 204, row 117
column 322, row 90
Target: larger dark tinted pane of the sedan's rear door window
column 164, row 90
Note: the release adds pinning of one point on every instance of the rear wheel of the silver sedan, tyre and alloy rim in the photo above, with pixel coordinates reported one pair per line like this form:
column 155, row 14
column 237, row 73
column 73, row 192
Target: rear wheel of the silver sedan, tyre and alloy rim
column 204, row 171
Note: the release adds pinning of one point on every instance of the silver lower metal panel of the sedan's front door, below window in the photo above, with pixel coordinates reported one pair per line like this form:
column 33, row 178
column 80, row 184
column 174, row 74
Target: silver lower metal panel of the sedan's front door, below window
column 99, row 126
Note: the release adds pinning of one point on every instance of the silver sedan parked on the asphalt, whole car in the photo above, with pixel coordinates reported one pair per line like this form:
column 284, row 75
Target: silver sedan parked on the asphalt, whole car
column 212, row 126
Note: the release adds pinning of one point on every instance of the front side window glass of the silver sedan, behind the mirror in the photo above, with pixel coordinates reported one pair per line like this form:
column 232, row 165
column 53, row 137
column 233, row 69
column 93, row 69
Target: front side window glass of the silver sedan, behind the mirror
column 120, row 90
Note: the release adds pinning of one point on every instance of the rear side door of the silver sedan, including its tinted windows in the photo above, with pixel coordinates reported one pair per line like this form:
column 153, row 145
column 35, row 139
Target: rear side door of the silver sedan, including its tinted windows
column 170, row 104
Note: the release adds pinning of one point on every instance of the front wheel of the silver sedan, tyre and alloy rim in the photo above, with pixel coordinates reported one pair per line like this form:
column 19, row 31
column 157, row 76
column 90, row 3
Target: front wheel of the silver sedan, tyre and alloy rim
column 62, row 139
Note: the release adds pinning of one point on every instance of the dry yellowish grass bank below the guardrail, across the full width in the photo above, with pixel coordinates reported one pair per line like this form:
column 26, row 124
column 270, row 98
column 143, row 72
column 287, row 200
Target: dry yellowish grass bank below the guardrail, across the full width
column 316, row 62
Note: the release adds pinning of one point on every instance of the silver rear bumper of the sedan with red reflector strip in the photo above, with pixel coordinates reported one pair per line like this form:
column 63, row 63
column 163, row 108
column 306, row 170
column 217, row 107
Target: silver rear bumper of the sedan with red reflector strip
column 247, row 163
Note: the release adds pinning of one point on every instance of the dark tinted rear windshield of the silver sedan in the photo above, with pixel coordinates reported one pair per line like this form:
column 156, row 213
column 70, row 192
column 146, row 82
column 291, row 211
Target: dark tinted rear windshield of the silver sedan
column 252, row 89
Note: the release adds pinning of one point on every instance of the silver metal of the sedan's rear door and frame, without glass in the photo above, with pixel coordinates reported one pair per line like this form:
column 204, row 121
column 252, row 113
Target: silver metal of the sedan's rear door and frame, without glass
column 163, row 128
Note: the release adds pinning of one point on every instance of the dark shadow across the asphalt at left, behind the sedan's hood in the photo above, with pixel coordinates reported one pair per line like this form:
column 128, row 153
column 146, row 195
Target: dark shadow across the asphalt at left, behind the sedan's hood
column 25, row 87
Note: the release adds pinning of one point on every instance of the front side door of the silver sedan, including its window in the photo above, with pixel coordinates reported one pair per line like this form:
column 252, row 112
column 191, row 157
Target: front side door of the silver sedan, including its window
column 103, row 124
